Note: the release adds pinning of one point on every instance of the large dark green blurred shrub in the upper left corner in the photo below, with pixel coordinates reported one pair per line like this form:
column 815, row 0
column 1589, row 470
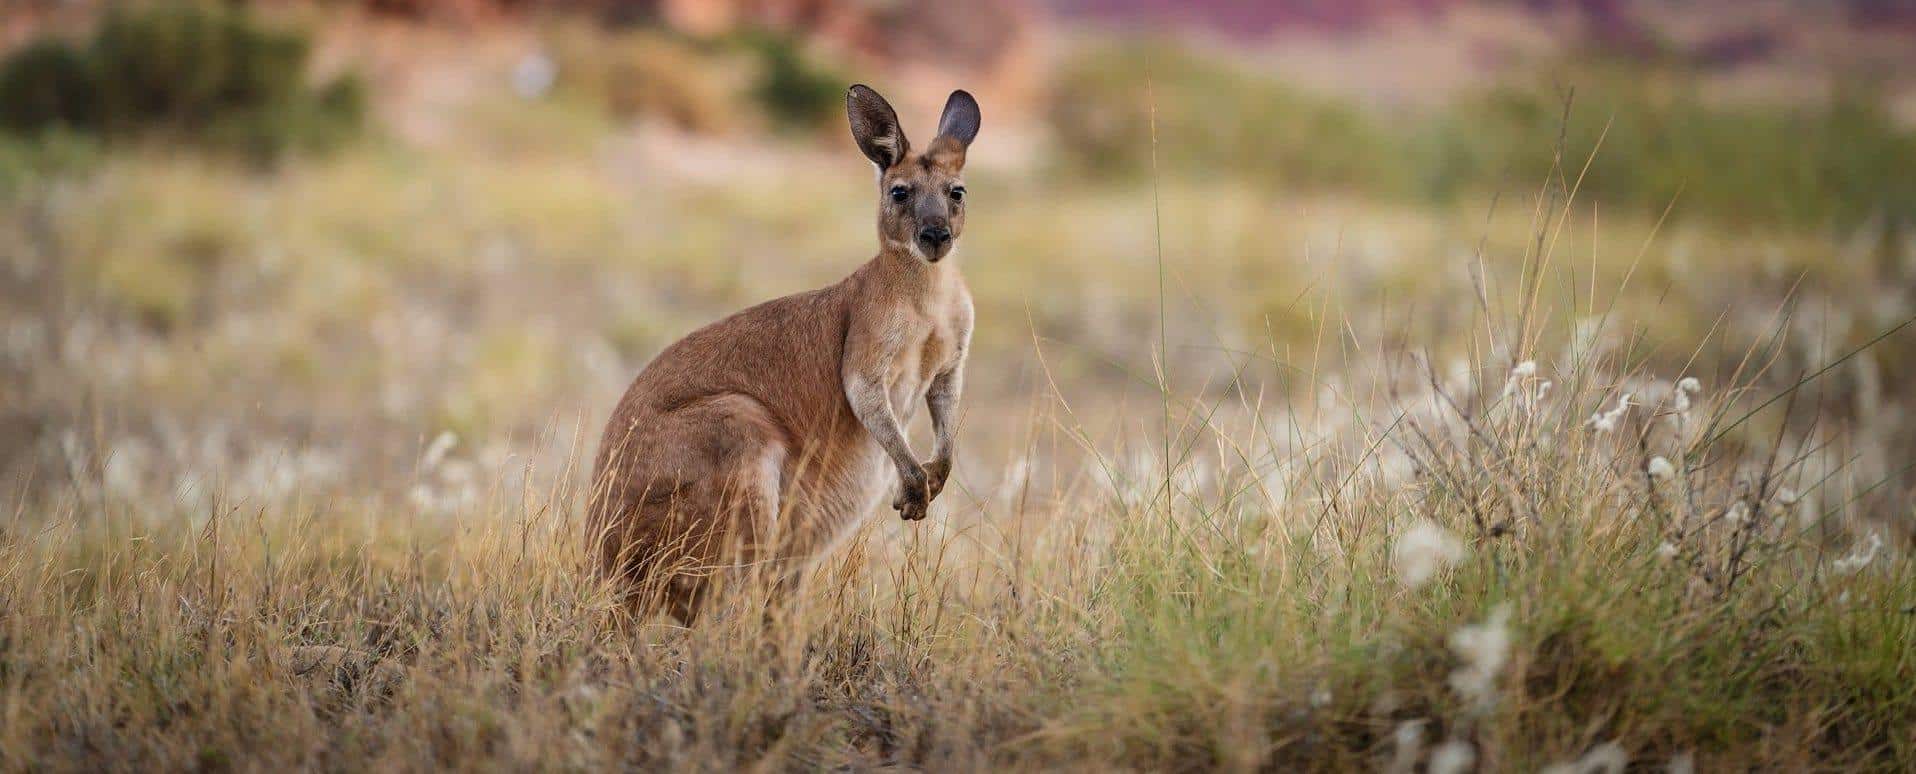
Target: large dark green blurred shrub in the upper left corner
column 204, row 74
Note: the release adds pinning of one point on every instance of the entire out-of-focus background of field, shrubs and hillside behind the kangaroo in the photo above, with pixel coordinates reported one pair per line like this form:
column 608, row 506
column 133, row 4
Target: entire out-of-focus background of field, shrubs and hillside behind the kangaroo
column 407, row 250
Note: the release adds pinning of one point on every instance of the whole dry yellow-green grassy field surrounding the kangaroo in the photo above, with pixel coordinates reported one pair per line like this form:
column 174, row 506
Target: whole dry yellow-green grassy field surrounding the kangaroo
column 1248, row 478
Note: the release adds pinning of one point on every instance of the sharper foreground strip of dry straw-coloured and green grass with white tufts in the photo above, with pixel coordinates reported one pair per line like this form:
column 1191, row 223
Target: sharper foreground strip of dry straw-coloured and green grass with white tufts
column 1267, row 618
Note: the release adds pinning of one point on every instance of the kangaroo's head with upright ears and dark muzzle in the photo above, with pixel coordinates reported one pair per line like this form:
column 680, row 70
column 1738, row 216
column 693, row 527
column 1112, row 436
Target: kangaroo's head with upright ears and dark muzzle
column 921, row 196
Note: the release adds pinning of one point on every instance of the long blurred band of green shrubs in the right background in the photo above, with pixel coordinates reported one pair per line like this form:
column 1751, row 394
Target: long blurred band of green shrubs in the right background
column 1833, row 164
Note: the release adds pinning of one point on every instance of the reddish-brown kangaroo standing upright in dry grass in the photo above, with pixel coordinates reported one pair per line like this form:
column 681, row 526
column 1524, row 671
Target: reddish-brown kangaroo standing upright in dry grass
column 762, row 440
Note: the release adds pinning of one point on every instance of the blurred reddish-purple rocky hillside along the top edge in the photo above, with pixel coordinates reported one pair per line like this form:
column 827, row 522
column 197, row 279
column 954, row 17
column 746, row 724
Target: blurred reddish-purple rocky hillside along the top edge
column 1773, row 45
